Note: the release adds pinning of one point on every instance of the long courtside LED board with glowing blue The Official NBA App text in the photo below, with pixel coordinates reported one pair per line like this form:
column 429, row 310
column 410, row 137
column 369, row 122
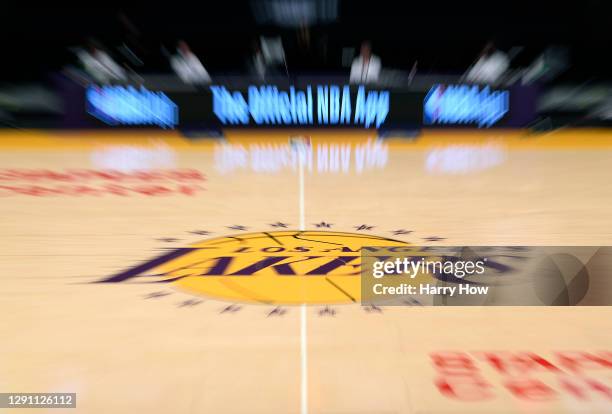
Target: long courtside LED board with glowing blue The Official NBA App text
column 311, row 106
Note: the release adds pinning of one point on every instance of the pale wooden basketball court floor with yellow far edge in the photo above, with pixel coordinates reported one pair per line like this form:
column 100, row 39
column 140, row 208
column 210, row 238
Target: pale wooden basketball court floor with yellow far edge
column 150, row 273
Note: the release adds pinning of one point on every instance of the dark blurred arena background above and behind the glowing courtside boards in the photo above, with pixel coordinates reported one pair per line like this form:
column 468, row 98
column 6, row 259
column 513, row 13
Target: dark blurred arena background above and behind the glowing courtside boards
column 554, row 57
